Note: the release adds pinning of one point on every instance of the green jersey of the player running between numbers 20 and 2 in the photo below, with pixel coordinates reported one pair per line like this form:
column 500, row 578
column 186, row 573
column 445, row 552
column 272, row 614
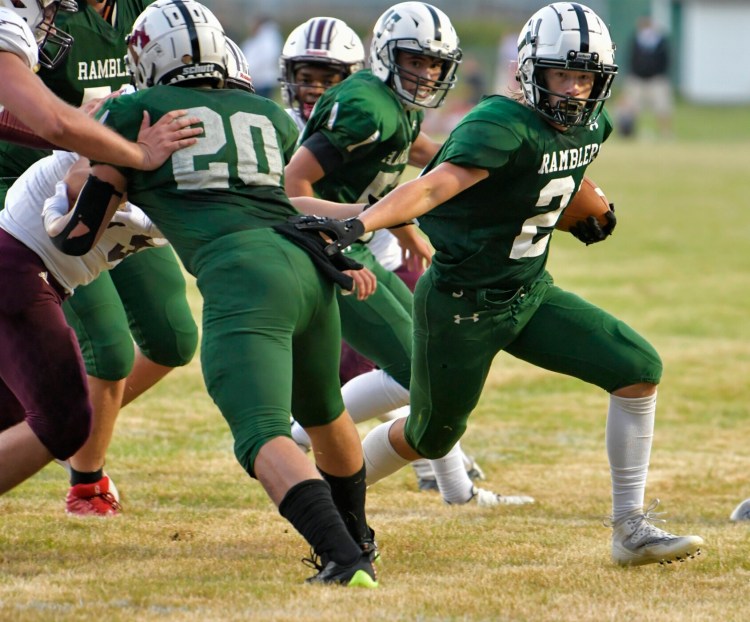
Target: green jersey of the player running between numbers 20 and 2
column 366, row 123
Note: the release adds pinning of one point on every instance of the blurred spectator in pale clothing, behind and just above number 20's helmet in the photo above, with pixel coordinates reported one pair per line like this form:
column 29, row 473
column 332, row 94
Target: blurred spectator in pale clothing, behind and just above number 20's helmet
column 262, row 49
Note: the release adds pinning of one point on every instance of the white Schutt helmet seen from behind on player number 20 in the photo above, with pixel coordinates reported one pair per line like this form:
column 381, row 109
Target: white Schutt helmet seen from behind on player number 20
column 174, row 41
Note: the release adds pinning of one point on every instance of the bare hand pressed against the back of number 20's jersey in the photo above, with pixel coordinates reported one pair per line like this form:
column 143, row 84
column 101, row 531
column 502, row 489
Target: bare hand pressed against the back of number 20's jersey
column 167, row 135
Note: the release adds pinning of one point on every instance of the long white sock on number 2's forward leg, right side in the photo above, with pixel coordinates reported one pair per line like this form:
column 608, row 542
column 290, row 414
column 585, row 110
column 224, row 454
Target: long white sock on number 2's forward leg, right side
column 630, row 431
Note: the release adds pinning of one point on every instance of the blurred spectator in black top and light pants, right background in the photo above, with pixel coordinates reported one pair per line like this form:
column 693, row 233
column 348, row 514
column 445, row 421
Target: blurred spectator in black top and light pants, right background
column 648, row 85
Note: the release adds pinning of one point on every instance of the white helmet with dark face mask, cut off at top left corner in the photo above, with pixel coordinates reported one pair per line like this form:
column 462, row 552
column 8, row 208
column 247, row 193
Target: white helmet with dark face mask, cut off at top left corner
column 39, row 15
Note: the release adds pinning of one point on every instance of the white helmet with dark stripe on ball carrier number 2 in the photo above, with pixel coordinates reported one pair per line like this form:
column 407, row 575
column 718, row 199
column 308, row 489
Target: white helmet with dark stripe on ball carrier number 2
column 566, row 35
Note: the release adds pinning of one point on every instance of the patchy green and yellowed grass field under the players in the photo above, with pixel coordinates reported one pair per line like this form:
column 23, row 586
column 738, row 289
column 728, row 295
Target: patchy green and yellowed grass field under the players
column 200, row 541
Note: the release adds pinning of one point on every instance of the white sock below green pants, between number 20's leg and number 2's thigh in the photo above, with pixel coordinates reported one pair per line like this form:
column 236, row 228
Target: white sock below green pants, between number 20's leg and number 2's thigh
column 373, row 394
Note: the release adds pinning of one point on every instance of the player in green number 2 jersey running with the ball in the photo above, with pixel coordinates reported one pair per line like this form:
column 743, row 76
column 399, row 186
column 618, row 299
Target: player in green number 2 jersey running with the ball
column 489, row 202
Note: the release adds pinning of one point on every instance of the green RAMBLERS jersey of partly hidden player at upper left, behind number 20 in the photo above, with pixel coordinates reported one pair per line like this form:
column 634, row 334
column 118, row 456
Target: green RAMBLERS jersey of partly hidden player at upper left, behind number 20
column 94, row 67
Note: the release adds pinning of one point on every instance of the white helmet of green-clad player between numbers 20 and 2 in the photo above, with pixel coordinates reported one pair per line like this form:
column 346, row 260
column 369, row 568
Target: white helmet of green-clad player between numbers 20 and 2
column 418, row 28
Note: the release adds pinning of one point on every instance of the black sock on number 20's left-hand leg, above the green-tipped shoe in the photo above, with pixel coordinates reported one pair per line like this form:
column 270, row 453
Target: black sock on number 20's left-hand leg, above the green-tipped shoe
column 308, row 506
